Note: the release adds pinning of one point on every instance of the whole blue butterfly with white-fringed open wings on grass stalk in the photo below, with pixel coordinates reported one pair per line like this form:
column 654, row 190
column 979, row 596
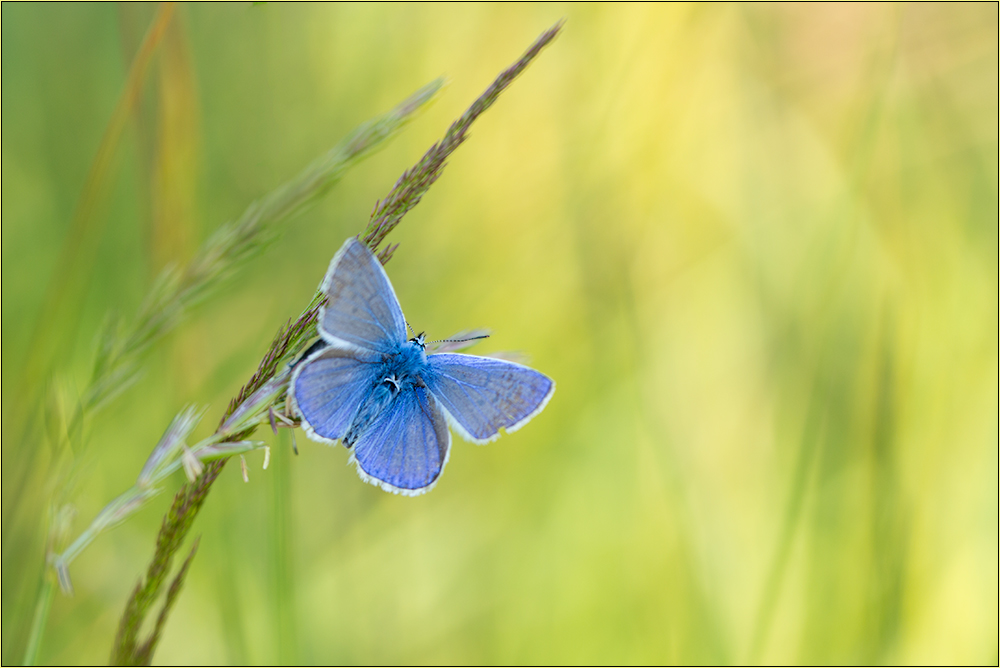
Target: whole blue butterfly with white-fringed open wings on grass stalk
column 374, row 390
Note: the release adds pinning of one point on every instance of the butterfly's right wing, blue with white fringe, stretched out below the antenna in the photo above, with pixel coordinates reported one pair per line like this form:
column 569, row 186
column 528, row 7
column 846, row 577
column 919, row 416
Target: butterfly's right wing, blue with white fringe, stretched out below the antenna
column 481, row 395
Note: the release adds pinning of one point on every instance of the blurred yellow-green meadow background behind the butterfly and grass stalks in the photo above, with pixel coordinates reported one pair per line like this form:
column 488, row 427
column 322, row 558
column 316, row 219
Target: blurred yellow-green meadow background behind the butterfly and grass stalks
column 755, row 245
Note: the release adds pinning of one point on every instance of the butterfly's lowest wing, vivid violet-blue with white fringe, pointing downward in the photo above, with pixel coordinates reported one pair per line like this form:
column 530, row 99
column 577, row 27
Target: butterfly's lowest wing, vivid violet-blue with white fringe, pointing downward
column 406, row 447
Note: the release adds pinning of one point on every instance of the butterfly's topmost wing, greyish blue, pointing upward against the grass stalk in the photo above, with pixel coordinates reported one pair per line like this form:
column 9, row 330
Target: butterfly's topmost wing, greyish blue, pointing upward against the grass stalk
column 361, row 310
